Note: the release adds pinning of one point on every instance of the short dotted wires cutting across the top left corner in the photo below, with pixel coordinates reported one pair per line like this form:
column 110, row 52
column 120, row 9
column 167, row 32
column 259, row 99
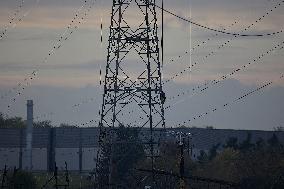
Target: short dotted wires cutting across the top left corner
column 16, row 18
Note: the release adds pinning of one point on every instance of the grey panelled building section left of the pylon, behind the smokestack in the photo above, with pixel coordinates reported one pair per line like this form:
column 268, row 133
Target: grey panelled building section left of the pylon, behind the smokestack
column 78, row 147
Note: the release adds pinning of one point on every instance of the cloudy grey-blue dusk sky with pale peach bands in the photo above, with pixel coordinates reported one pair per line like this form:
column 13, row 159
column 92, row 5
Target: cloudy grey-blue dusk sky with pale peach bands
column 70, row 75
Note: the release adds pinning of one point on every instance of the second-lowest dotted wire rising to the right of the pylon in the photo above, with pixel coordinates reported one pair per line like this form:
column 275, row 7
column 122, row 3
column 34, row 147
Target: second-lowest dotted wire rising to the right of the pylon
column 204, row 87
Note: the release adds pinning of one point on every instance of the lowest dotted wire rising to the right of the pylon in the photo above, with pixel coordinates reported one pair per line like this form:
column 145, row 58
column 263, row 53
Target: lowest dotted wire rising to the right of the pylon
column 226, row 105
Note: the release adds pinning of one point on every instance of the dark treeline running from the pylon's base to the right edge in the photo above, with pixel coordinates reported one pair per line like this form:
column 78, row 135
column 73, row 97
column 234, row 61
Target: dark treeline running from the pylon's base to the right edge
column 258, row 165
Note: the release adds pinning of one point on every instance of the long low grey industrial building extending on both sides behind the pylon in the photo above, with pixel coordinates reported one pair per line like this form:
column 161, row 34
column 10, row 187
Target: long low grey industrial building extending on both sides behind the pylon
column 78, row 146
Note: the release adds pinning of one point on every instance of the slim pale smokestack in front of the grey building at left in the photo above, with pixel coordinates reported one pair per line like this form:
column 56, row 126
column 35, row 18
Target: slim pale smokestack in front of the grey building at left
column 29, row 140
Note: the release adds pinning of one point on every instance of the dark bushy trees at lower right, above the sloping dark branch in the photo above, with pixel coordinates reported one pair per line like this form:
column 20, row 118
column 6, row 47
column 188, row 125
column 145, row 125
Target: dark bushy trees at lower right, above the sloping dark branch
column 258, row 165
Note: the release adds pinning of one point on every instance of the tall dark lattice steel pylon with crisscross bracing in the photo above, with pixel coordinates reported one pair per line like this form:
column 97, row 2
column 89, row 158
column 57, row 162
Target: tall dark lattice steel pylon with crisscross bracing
column 133, row 94
